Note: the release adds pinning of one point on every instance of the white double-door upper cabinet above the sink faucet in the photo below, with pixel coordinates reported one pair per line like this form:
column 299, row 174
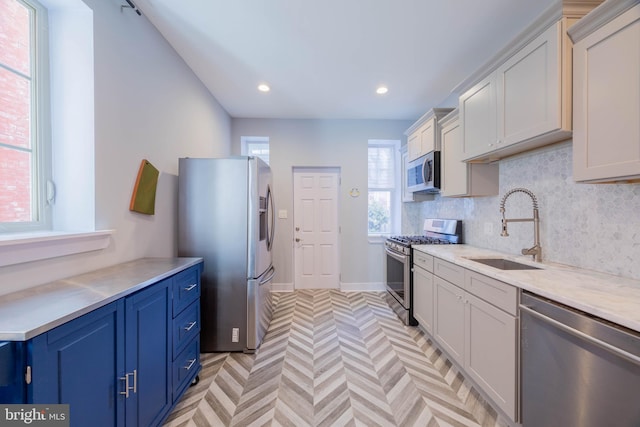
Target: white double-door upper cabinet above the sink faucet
column 522, row 99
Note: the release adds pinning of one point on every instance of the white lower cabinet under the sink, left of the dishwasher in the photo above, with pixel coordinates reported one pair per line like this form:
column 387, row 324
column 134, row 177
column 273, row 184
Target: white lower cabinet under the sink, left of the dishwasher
column 476, row 324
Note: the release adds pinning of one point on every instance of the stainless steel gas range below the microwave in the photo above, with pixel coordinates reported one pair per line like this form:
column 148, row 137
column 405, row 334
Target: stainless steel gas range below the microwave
column 399, row 258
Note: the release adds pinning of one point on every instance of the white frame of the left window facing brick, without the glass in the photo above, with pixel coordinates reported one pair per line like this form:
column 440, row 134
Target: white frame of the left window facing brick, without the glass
column 40, row 131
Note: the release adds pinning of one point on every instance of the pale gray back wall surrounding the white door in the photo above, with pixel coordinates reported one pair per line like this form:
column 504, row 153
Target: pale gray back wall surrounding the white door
column 339, row 143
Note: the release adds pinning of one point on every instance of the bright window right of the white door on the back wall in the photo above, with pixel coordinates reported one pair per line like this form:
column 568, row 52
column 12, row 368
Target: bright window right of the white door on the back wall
column 383, row 194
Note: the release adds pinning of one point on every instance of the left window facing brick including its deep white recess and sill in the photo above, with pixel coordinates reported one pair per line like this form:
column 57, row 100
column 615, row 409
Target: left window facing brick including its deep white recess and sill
column 61, row 59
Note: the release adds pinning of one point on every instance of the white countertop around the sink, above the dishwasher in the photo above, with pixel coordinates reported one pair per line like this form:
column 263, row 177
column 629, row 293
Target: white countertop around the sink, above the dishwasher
column 613, row 298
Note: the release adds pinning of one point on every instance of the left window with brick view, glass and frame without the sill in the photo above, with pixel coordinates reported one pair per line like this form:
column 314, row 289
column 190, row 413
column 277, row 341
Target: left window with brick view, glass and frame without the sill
column 25, row 159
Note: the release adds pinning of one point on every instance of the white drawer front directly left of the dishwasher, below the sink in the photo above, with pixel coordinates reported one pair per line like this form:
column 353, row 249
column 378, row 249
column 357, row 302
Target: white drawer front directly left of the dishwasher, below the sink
column 495, row 292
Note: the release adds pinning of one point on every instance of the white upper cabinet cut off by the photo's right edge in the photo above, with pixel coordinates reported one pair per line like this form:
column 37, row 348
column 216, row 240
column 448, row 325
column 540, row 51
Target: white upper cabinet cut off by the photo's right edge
column 606, row 138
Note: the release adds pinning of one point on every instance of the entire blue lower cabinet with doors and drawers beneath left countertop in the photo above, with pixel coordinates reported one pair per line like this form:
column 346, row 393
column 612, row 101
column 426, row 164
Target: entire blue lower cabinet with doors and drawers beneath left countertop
column 114, row 366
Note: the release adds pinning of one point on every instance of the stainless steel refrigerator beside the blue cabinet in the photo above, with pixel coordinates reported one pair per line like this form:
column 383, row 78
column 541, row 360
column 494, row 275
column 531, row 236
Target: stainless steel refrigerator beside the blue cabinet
column 226, row 216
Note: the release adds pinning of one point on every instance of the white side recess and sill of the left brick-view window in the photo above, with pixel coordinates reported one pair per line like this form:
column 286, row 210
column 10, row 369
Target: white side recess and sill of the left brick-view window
column 72, row 228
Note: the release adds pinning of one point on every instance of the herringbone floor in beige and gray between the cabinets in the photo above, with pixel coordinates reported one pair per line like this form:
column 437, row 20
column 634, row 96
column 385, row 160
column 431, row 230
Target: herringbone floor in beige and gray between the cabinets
column 333, row 358
